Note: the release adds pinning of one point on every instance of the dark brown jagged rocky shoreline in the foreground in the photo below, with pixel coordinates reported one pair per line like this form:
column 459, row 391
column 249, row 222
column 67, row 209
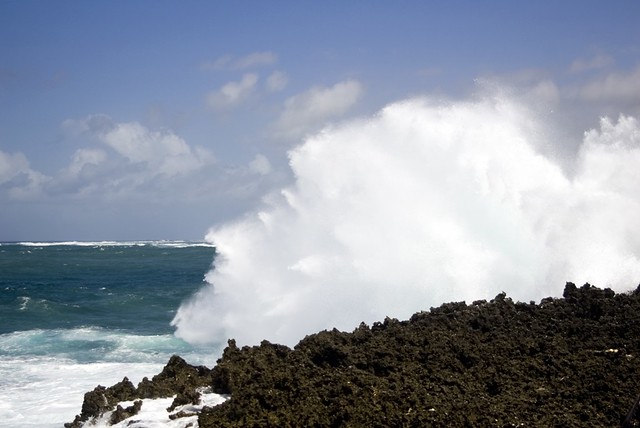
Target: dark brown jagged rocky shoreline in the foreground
column 567, row 362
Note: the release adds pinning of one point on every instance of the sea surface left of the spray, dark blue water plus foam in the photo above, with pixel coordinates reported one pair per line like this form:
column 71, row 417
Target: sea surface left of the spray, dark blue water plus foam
column 77, row 314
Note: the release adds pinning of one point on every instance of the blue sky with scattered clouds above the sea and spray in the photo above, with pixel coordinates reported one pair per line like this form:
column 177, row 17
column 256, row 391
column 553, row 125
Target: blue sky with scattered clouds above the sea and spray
column 127, row 120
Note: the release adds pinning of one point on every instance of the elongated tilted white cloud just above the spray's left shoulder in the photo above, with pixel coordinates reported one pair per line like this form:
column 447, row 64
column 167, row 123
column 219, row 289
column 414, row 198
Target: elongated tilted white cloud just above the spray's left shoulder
column 306, row 111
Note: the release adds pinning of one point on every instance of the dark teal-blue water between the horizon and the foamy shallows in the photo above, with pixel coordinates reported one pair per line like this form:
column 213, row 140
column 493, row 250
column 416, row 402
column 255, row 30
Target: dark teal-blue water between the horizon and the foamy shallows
column 132, row 287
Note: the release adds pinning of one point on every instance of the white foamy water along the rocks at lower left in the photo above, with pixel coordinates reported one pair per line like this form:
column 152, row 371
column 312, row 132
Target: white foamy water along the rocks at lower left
column 44, row 374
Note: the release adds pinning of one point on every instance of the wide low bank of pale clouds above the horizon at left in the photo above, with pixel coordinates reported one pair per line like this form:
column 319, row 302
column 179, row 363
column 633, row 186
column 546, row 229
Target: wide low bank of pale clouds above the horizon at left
column 128, row 161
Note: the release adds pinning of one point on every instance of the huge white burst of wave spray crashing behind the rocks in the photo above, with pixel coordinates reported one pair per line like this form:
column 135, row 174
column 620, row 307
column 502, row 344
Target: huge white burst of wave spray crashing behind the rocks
column 424, row 203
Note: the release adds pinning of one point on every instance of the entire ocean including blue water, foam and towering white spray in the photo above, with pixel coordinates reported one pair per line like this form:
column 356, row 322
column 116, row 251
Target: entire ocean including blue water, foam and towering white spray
column 427, row 202
